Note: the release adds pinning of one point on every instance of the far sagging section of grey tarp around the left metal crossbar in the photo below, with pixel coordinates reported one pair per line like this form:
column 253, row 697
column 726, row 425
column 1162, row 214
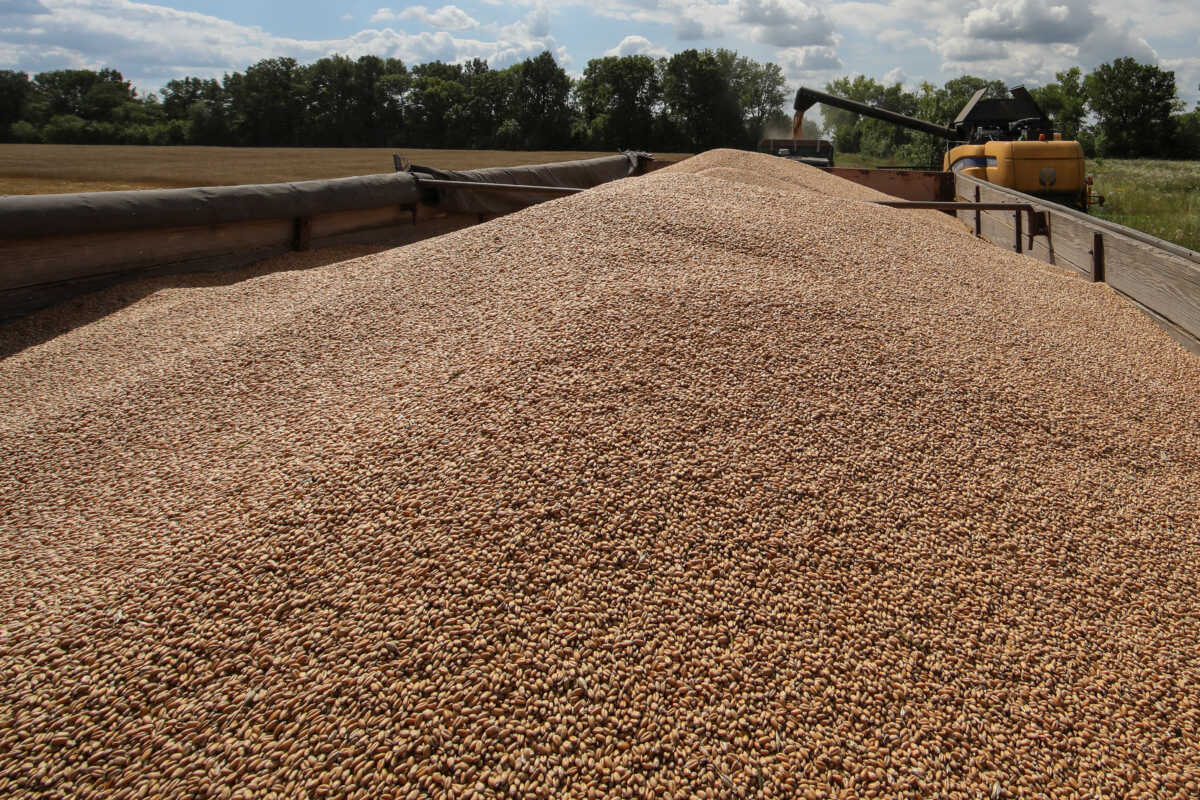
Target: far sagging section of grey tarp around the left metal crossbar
column 574, row 175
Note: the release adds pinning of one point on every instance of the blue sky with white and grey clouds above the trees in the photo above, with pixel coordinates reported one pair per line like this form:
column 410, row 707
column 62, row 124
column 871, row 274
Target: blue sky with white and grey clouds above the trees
column 907, row 41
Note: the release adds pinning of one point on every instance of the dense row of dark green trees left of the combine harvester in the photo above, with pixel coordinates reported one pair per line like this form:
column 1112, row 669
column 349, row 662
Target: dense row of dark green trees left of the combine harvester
column 692, row 101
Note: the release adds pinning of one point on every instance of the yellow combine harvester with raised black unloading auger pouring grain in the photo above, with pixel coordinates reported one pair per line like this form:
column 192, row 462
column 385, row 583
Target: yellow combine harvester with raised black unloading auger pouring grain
column 1009, row 142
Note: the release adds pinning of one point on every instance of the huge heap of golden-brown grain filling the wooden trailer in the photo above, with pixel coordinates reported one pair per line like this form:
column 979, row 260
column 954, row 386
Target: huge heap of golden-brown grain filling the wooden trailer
column 676, row 488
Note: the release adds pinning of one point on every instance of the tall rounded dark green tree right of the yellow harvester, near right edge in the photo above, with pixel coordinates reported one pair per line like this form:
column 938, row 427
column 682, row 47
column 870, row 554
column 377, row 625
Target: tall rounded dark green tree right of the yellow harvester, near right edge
column 1133, row 105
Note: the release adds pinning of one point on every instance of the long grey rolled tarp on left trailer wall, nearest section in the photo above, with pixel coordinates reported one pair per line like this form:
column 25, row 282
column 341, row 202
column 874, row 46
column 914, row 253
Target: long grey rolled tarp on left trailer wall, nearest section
column 25, row 216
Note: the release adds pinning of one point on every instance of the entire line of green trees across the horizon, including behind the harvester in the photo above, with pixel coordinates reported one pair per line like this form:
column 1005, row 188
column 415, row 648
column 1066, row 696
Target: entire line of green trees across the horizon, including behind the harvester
column 692, row 101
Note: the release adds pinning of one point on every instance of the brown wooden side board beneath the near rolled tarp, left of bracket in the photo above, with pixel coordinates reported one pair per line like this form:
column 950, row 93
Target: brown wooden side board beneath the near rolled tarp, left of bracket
column 50, row 260
